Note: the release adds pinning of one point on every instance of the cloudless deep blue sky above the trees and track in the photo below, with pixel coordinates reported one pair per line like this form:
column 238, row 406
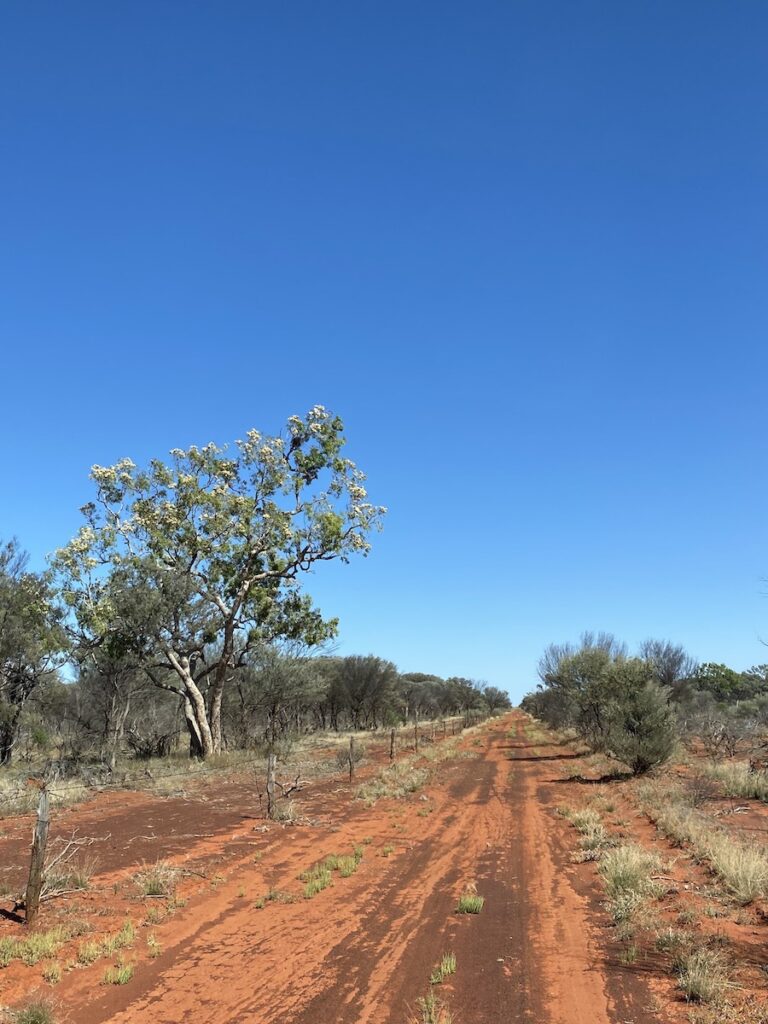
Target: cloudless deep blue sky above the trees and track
column 521, row 248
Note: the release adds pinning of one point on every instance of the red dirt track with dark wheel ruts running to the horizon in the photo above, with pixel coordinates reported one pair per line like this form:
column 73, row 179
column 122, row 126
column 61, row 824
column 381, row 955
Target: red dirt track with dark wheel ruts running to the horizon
column 362, row 952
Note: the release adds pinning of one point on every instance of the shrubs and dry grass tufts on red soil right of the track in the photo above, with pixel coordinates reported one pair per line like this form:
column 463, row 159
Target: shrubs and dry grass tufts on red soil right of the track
column 666, row 895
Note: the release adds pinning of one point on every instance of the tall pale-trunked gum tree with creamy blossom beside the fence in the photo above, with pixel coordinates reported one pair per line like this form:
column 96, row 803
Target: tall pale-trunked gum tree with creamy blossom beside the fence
column 197, row 563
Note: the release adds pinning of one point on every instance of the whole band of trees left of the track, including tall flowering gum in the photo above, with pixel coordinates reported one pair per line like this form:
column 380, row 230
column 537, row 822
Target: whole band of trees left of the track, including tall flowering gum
column 178, row 618
